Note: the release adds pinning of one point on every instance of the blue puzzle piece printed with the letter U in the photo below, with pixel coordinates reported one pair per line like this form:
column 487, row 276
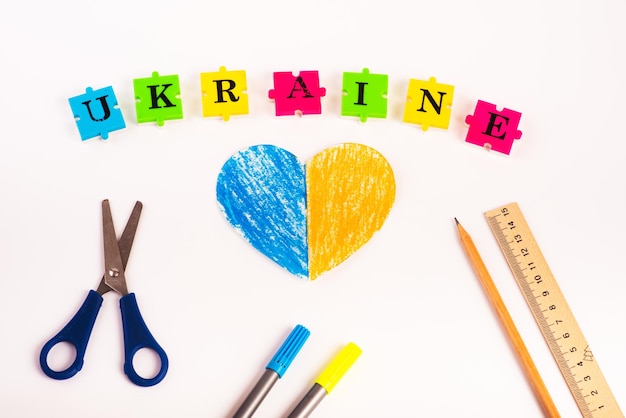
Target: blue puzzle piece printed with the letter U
column 97, row 113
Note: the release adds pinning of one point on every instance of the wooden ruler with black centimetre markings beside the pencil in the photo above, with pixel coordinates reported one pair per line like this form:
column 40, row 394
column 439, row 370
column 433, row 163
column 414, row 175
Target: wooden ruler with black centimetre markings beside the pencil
column 552, row 313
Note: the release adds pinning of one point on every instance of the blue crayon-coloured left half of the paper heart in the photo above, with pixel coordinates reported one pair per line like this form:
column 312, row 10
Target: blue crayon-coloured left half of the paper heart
column 261, row 191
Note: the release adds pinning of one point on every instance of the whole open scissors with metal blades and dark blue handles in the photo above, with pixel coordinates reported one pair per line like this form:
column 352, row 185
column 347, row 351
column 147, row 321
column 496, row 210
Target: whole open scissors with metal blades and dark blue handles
column 136, row 334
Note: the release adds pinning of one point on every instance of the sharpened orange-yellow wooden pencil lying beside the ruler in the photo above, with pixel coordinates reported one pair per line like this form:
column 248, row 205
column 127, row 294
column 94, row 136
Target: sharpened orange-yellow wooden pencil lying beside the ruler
column 532, row 374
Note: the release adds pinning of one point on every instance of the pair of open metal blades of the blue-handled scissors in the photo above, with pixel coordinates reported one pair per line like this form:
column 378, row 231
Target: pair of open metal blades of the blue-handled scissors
column 116, row 254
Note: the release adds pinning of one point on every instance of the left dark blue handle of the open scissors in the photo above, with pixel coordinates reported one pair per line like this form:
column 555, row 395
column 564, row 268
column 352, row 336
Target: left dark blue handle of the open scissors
column 77, row 333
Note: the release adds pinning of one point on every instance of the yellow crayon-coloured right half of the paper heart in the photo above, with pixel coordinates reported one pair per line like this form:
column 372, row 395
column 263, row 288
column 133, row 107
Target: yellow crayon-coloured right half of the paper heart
column 350, row 191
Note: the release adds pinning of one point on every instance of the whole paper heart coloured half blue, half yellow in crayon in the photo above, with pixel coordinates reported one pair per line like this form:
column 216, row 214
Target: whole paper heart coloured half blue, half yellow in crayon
column 307, row 218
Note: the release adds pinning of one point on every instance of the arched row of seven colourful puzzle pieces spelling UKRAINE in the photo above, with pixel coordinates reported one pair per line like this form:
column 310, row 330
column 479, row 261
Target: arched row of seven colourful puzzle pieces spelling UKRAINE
column 224, row 93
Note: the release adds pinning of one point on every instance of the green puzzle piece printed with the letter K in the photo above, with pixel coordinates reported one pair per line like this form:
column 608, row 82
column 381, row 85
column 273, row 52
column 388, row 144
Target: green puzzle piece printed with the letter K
column 158, row 98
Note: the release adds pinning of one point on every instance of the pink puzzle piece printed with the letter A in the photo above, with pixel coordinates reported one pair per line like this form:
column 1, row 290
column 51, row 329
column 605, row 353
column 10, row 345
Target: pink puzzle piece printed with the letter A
column 301, row 93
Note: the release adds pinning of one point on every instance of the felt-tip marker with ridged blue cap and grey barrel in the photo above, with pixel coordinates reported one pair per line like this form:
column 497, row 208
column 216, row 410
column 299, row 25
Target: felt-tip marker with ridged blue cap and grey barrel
column 273, row 371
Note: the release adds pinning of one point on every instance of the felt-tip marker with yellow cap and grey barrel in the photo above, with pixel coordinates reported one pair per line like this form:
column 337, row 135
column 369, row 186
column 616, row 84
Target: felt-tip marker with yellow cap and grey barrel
column 327, row 380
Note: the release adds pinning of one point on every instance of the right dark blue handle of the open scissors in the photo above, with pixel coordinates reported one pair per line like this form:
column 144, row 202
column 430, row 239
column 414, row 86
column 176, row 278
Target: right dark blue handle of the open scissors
column 136, row 337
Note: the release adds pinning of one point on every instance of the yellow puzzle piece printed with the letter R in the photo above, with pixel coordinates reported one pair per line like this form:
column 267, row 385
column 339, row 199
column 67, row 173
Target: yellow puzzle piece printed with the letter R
column 224, row 93
